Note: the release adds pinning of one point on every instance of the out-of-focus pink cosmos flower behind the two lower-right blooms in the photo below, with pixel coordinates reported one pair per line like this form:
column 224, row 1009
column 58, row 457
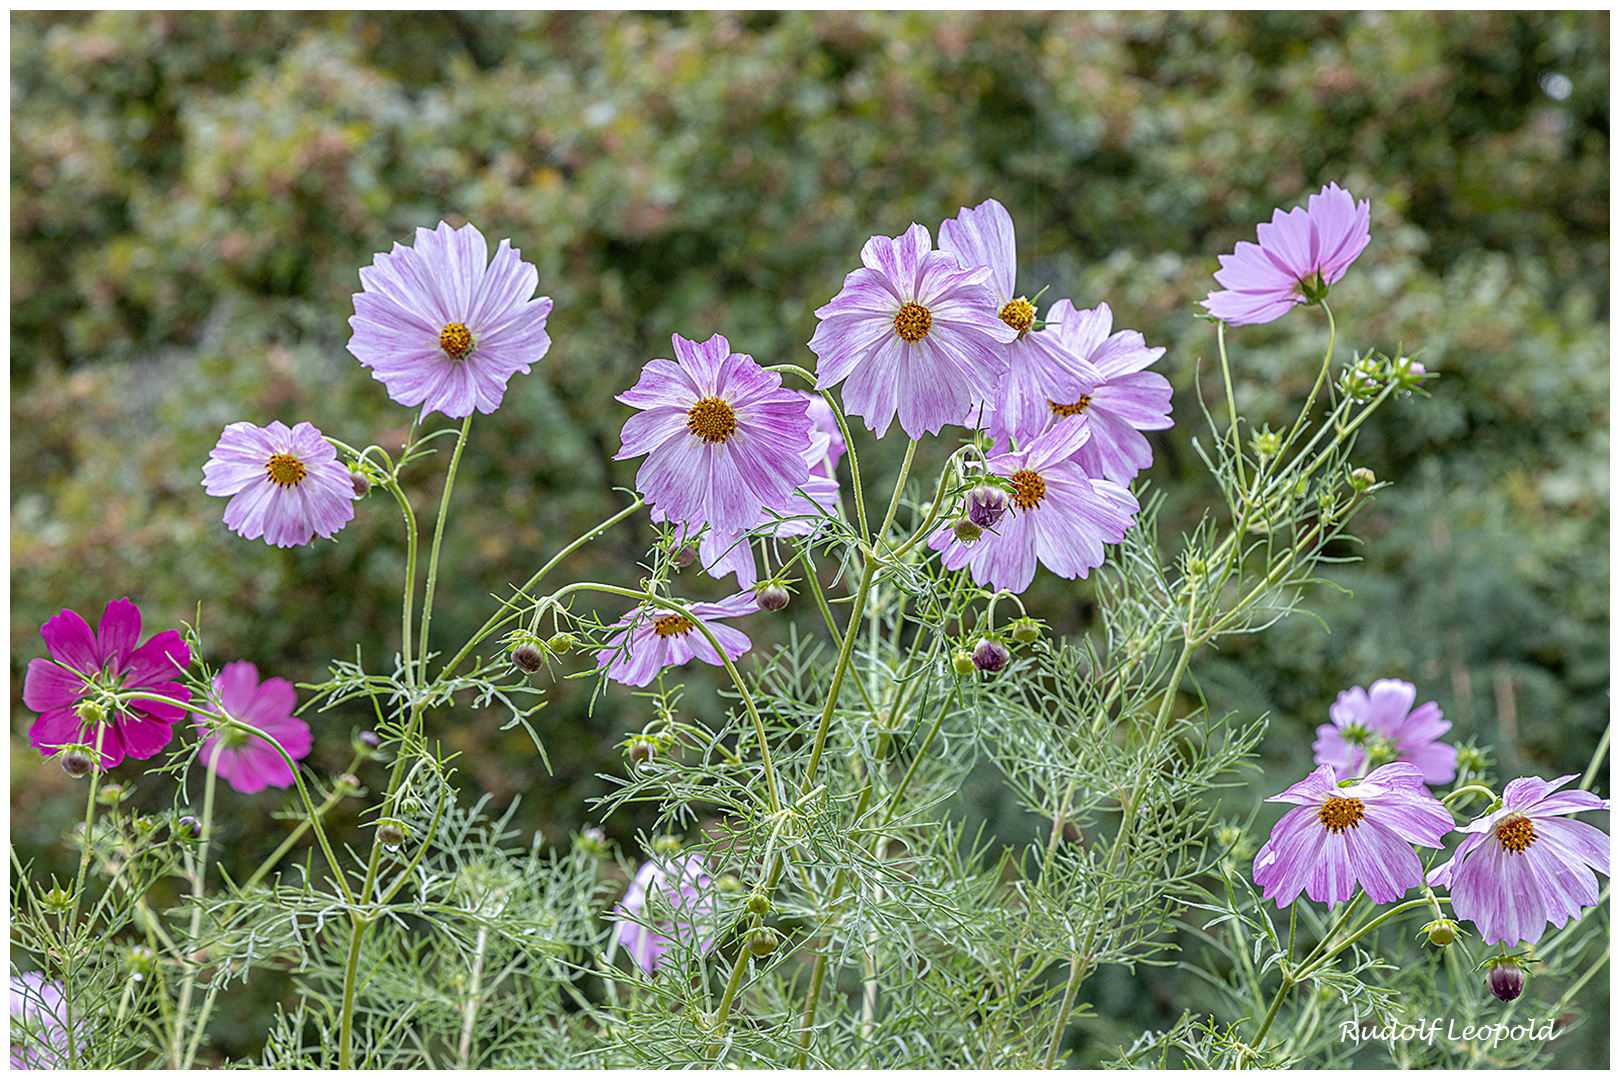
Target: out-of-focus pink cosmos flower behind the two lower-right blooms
column 1376, row 726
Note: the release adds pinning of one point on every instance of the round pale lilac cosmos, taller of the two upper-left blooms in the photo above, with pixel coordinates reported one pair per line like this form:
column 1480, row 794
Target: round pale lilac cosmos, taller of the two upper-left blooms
column 445, row 326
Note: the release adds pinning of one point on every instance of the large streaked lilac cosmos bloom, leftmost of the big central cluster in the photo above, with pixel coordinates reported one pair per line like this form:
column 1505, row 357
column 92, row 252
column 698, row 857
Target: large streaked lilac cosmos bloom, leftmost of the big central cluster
column 720, row 433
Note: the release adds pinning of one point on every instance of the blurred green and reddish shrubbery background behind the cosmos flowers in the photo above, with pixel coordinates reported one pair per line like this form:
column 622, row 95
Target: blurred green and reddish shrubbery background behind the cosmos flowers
column 194, row 193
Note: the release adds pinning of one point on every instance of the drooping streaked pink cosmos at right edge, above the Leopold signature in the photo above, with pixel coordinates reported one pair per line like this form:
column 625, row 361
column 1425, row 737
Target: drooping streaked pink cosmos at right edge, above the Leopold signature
column 1527, row 865
